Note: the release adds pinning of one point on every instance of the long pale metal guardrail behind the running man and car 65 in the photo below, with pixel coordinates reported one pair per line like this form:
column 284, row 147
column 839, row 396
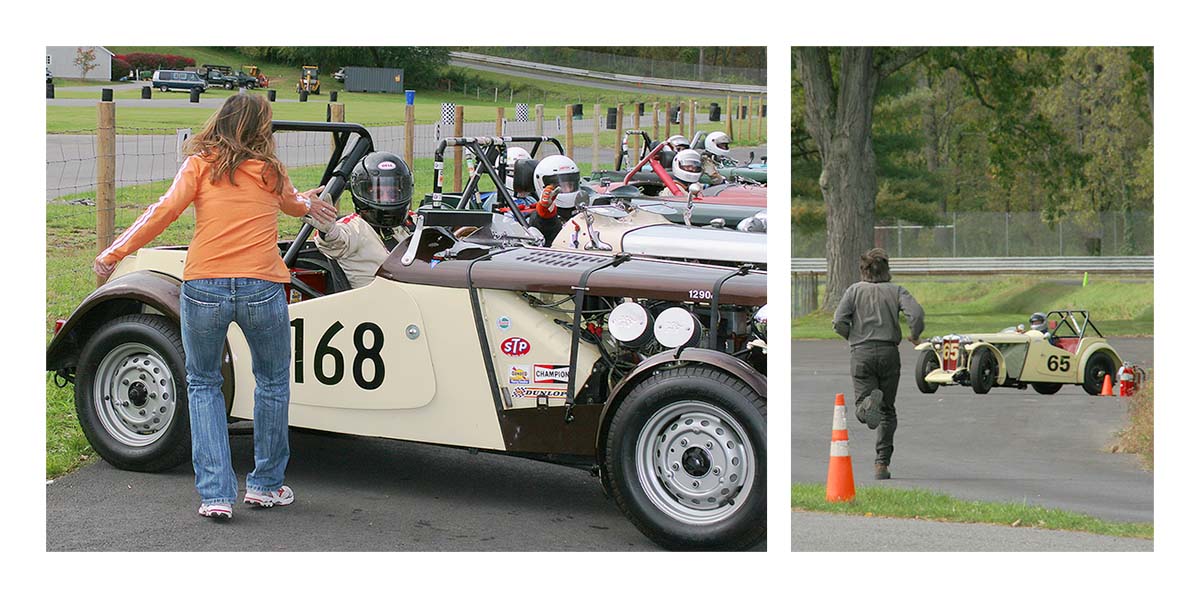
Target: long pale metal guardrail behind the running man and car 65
column 1001, row 265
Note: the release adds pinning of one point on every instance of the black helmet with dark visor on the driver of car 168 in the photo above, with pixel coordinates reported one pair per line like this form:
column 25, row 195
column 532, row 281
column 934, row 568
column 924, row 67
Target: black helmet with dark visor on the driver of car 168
column 382, row 188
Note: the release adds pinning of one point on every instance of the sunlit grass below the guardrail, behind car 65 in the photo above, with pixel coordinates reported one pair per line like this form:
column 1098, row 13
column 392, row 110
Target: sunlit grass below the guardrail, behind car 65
column 1120, row 306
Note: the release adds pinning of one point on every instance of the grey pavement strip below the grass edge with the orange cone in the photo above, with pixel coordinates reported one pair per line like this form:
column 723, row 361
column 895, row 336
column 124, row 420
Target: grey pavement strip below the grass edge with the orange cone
column 824, row 533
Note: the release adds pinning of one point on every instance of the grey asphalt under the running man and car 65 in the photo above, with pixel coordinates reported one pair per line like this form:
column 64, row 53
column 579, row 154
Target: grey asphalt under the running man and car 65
column 1005, row 446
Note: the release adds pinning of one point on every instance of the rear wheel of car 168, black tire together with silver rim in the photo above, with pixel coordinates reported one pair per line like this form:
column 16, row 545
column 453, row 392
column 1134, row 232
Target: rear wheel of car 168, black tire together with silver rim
column 172, row 444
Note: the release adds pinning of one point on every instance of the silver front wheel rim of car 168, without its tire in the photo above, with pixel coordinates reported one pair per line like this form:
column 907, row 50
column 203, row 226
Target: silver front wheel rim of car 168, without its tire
column 695, row 463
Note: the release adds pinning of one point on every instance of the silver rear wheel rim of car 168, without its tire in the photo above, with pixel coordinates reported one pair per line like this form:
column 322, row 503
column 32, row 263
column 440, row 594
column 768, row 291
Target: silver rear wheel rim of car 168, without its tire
column 135, row 394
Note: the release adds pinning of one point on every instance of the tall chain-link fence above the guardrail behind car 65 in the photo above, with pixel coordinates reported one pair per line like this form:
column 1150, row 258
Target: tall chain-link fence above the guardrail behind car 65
column 1006, row 235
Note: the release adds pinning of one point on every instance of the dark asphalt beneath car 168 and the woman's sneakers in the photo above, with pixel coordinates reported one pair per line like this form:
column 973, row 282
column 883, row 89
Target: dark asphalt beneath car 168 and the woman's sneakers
column 352, row 495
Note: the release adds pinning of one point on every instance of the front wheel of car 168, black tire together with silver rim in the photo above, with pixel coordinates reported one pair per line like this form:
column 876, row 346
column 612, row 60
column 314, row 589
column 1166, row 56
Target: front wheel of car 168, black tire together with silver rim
column 649, row 416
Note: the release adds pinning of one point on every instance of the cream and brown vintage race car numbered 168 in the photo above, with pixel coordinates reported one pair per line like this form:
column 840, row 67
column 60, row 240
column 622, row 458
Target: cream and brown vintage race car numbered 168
column 651, row 374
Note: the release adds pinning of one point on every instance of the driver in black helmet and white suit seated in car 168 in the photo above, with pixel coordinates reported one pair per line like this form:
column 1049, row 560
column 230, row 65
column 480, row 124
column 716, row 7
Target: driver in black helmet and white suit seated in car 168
column 382, row 189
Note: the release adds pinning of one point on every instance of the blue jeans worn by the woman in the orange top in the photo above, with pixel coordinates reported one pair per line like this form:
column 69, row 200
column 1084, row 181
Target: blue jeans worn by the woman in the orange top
column 261, row 310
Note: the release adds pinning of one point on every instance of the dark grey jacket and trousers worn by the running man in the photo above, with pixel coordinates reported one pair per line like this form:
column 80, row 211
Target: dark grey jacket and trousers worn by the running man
column 869, row 318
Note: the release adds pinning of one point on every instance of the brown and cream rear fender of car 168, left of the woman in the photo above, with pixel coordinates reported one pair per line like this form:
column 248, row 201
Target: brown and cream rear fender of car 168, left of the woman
column 119, row 297
